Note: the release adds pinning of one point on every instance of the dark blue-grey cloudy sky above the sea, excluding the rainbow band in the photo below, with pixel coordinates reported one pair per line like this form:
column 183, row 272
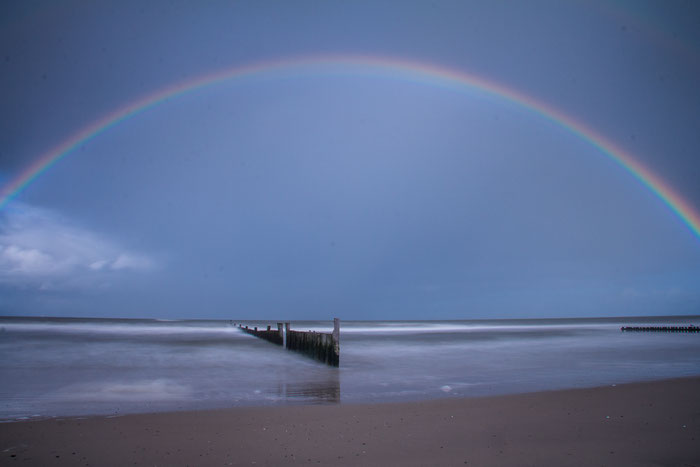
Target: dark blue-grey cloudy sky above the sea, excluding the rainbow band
column 349, row 194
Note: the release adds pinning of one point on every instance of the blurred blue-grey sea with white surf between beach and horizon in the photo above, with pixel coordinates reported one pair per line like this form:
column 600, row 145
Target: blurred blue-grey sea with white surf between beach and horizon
column 56, row 367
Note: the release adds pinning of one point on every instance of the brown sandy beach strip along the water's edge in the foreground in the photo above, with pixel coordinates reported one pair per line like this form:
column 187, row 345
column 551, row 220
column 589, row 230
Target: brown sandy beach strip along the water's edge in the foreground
column 640, row 424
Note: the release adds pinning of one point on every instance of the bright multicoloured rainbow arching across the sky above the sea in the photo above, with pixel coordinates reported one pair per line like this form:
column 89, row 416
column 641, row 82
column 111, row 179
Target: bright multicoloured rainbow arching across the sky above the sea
column 414, row 71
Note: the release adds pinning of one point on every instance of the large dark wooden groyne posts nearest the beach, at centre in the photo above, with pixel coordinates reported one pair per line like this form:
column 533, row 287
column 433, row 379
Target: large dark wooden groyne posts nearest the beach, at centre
column 321, row 346
